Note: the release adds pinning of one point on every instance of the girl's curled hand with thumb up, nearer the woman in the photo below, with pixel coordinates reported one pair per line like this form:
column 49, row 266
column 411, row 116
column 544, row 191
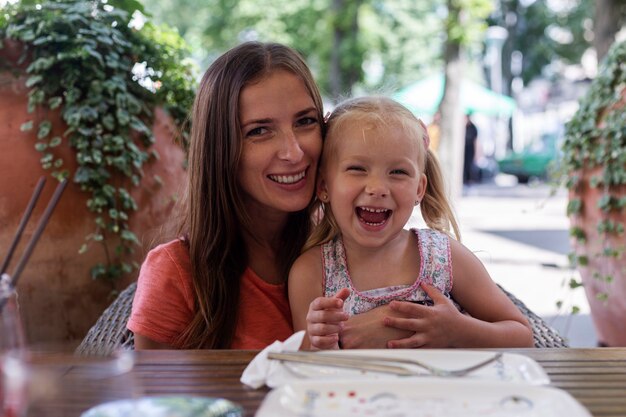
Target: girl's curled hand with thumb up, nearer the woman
column 325, row 320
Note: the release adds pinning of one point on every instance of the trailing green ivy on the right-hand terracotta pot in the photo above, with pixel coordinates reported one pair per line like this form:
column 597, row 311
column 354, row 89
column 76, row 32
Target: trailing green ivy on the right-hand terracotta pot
column 595, row 137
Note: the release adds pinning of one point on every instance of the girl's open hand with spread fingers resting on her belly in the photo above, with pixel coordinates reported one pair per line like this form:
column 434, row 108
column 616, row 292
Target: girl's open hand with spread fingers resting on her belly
column 432, row 326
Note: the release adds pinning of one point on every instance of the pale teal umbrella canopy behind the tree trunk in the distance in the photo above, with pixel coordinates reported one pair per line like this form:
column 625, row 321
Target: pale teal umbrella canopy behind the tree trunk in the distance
column 423, row 98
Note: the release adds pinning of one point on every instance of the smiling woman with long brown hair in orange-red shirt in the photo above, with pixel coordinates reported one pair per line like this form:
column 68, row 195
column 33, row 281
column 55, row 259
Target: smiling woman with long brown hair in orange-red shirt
column 255, row 142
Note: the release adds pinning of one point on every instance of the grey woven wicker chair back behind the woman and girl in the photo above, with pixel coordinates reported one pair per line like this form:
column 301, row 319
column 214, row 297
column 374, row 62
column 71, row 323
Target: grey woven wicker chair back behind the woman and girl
column 110, row 332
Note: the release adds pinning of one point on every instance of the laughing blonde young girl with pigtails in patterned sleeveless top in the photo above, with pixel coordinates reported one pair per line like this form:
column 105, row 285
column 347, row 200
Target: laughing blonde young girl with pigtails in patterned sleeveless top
column 375, row 168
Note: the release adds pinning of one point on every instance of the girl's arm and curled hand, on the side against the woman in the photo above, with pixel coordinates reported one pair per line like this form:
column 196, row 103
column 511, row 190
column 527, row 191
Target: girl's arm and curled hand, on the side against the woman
column 321, row 317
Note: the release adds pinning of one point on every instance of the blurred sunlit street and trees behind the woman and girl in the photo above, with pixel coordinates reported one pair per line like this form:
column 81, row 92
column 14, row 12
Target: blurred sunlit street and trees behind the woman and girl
column 516, row 68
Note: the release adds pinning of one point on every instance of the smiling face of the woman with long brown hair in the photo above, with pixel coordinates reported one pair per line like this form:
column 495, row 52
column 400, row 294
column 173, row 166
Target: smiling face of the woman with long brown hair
column 282, row 142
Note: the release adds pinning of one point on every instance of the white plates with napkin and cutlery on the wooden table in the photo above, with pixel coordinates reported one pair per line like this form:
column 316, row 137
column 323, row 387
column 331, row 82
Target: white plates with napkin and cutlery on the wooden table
column 420, row 382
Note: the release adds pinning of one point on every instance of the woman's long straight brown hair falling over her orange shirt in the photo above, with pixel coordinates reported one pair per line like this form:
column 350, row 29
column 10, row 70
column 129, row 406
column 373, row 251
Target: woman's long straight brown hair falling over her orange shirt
column 214, row 213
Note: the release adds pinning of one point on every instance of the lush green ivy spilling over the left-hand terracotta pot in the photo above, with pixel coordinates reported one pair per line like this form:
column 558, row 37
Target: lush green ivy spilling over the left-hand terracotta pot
column 100, row 65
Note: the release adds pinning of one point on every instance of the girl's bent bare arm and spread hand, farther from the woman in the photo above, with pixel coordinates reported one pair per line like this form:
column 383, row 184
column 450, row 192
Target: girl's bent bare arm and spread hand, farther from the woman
column 492, row 320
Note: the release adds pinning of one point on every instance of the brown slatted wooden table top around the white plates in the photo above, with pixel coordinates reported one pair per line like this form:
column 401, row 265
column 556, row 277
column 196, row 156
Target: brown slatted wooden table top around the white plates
column 595, row 377
